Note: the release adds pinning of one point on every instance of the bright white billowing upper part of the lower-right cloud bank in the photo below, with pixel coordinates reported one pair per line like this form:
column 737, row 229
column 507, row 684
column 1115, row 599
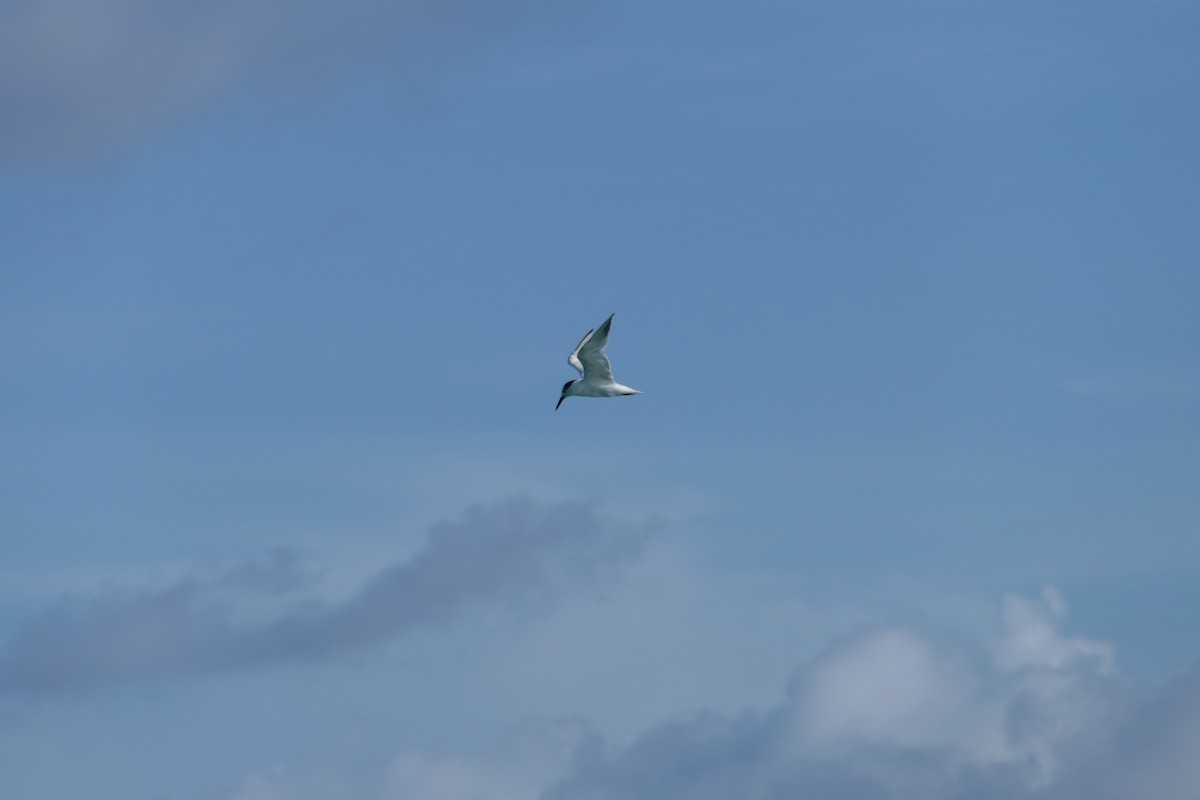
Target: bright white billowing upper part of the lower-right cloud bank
column 901, row 689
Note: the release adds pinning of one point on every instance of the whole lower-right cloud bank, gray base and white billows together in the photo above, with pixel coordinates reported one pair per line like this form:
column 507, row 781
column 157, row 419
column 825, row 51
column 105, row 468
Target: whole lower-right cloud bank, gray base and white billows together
column 896, row 715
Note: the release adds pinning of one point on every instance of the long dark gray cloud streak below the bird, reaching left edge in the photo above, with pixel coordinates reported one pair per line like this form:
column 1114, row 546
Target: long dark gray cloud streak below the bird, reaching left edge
column 508, row 554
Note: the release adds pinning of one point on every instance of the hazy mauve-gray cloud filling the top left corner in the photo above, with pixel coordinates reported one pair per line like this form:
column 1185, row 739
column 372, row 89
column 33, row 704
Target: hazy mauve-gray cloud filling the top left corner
column 85, row 77
